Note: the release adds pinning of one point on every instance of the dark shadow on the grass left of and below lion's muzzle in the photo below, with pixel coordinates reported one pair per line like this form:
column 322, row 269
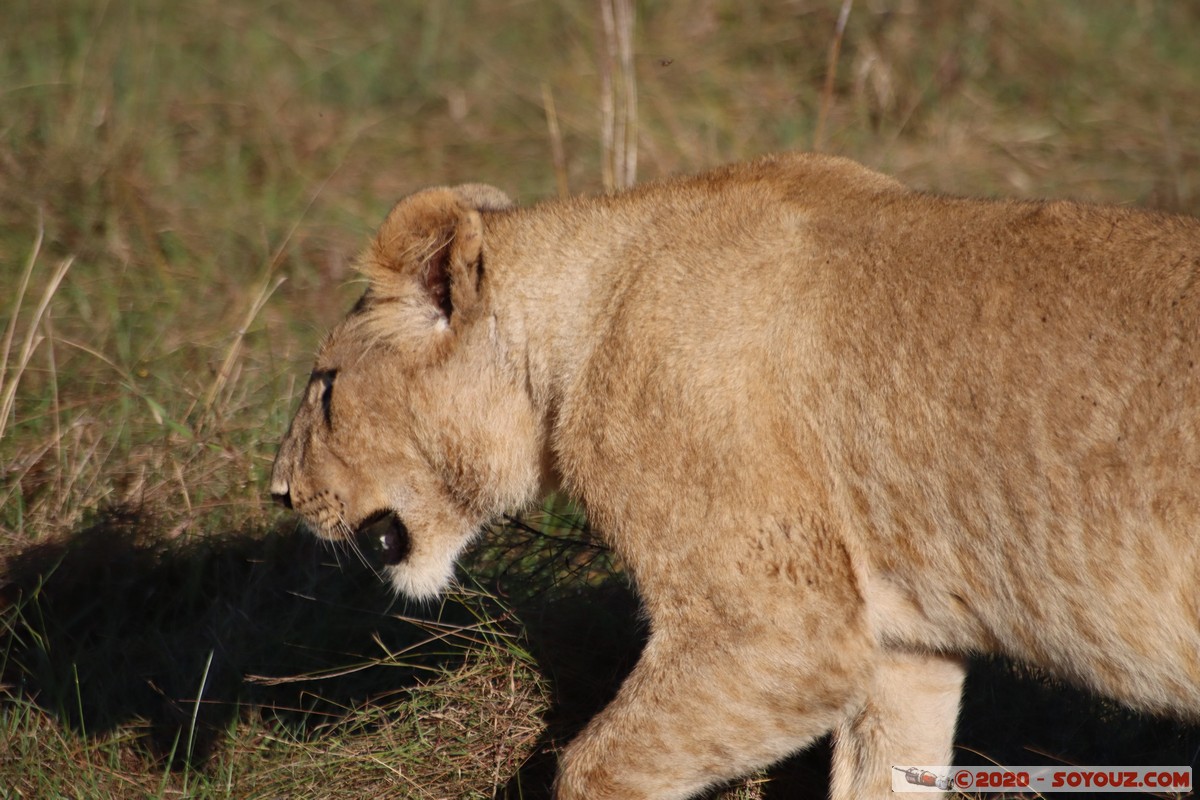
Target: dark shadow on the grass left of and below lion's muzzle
column 116, row 625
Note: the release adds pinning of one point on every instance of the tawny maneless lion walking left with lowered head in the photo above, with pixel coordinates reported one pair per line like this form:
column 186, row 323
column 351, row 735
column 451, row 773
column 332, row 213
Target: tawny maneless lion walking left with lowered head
column 843, row 434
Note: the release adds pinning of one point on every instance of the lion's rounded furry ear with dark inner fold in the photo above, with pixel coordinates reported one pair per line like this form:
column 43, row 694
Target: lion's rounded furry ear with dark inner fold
column 427, row 262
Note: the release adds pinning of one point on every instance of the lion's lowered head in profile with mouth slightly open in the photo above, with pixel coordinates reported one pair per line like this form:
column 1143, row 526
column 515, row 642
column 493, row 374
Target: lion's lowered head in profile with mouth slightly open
column 416, row 428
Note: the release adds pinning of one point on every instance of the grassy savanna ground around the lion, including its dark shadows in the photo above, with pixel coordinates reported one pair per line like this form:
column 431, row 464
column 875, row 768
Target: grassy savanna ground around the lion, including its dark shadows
column 183, row 190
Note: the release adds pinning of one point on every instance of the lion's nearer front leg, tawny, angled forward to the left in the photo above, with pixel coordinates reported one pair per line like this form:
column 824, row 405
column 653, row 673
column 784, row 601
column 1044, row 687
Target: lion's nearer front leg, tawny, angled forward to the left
column 704, row 707
